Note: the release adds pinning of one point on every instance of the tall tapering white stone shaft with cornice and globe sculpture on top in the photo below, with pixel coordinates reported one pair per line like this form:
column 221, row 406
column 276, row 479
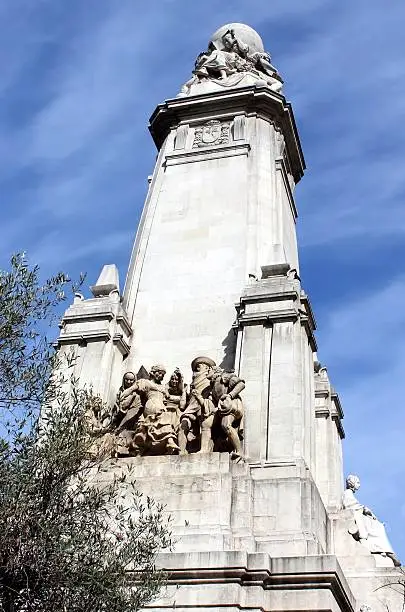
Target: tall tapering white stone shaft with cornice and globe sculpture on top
column 220, row 205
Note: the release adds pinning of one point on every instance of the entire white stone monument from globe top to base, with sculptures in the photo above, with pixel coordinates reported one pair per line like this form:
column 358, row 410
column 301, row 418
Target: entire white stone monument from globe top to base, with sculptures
column 239, row 432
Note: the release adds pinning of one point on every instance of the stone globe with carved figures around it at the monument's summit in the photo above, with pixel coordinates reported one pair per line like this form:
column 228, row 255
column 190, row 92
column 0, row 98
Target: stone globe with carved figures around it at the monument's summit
column 235, row 57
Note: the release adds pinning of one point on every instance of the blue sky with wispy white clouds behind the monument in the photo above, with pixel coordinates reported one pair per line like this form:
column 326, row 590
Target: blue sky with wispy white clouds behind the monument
column 78, row 82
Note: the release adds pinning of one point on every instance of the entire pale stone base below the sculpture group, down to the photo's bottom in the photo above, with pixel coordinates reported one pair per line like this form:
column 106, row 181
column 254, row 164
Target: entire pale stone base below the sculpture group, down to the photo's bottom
column 256, row 536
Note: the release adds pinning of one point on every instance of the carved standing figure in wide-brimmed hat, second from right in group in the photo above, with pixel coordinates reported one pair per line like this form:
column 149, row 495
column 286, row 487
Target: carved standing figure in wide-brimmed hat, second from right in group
column 197, row 418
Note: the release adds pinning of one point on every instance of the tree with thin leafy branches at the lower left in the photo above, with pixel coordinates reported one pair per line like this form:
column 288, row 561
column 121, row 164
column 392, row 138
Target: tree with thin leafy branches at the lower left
column 75, row 534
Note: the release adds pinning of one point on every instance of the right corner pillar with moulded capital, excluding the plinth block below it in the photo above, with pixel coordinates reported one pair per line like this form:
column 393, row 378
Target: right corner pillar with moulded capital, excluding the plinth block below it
column 275, row 354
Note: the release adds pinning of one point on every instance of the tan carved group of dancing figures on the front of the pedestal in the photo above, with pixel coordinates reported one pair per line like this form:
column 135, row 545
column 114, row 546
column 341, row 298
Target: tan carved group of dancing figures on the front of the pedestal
column 153, row 418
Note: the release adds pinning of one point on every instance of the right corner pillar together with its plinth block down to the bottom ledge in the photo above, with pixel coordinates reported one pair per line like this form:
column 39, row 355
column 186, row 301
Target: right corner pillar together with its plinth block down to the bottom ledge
column 275, row 353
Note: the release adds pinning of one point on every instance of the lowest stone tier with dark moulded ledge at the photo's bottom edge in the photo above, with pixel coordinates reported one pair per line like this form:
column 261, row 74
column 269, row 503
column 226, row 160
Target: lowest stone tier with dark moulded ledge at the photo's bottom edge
column 234, row 581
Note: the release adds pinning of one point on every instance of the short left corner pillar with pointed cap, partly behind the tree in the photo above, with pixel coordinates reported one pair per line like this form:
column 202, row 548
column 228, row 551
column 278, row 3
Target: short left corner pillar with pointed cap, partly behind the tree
column 96, row 333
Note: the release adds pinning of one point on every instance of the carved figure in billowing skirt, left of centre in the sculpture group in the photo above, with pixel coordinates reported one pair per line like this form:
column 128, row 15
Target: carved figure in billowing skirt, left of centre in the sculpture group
column 155, row 433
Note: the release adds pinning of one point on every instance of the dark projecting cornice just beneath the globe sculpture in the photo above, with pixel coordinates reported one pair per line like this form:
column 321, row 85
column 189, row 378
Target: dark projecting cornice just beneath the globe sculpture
column 251, row 100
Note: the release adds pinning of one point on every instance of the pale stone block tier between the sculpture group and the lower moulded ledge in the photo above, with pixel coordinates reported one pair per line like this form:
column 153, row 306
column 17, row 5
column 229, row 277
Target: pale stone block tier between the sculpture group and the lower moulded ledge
column 218, row 505
